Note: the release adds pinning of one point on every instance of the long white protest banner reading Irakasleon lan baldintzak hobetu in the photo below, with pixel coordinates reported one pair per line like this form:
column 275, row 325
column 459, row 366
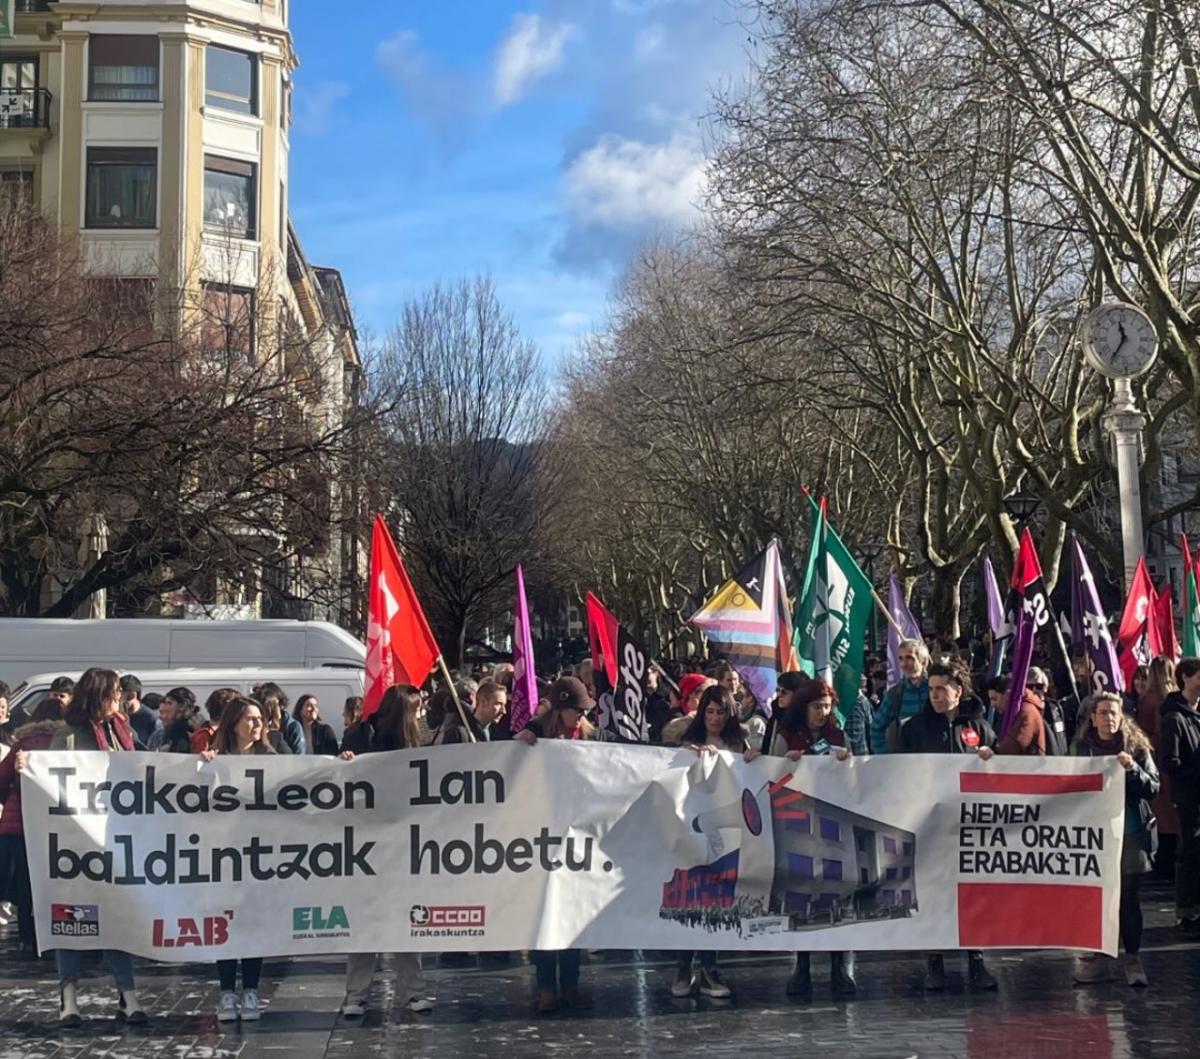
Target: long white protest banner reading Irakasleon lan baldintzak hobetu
column 508, row 847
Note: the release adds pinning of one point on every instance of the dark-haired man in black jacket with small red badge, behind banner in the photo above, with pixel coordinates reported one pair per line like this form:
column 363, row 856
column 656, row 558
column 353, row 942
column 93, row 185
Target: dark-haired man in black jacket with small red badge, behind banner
column 951, row 723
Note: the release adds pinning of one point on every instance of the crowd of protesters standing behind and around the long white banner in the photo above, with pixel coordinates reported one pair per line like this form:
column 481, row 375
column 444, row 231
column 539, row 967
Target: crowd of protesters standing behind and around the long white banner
column 935, row 708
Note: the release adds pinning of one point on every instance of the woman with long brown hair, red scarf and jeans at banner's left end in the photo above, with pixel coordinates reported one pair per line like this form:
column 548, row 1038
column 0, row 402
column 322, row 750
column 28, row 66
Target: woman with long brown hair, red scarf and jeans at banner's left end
column 95, row 722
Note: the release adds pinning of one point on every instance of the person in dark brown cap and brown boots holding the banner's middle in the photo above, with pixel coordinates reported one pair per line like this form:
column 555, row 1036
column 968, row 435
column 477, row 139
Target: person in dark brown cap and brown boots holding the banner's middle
column 559, row 971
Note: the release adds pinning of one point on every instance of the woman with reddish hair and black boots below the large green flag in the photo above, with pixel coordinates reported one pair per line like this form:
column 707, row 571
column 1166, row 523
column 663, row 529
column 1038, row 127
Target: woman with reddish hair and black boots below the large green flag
column 809, row 727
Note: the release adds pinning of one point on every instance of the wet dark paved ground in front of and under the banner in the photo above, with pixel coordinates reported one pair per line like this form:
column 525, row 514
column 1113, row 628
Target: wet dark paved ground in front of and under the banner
column 489, row 1012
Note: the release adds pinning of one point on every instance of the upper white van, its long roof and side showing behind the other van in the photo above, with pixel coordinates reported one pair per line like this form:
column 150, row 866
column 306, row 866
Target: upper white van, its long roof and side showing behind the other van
column 40, row 645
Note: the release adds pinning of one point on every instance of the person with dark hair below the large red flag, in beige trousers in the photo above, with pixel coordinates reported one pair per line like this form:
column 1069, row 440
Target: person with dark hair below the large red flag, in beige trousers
column 393, row 727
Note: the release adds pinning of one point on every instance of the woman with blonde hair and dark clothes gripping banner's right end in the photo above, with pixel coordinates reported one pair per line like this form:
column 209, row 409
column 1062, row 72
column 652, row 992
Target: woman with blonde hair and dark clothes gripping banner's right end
column 1109, row 732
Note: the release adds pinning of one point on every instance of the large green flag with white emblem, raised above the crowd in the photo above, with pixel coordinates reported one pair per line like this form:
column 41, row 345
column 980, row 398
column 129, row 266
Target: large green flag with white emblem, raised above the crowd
column 833, row 614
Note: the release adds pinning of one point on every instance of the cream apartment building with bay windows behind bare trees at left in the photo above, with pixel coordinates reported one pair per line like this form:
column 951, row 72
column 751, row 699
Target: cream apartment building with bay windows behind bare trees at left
column 159, row 131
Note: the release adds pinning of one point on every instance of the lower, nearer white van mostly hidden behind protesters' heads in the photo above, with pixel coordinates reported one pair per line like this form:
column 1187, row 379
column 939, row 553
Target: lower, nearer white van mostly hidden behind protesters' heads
column 332, row 687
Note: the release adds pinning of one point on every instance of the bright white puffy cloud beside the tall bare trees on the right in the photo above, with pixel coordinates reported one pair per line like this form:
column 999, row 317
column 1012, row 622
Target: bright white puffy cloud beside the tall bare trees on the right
column 625, row 183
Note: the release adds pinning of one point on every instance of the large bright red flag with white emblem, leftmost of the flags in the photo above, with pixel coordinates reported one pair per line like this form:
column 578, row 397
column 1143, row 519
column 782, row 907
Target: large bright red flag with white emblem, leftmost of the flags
column 401, row 649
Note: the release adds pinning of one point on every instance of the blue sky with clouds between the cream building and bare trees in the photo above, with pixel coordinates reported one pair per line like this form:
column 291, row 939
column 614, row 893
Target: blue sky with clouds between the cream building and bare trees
column 538, row 142
